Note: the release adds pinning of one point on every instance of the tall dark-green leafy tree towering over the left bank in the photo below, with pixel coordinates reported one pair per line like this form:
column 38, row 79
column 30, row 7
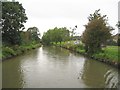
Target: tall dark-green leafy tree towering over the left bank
column 13, row 17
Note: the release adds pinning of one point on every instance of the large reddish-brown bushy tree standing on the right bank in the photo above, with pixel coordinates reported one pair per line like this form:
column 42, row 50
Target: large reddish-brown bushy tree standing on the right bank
column 96, row 33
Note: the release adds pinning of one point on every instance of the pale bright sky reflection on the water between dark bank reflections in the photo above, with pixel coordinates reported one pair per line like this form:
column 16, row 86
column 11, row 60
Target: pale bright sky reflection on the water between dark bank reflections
column 53, row 67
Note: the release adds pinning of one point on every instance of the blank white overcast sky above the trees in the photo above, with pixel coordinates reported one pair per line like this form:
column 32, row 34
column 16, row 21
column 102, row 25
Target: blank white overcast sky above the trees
column 47, row 14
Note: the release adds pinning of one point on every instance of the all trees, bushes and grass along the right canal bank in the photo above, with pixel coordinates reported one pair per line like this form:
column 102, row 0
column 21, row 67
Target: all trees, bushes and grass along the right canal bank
column 96, row 42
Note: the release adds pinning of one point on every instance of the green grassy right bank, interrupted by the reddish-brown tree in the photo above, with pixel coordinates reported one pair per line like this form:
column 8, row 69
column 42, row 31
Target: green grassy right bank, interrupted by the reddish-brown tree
column 109, row 54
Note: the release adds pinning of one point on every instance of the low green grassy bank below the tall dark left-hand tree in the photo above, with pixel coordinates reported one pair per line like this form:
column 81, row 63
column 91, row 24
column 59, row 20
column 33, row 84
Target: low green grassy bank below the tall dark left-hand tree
column 11, row 51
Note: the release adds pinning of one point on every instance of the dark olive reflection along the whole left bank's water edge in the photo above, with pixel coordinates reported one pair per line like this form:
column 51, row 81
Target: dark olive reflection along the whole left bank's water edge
column 12, row 73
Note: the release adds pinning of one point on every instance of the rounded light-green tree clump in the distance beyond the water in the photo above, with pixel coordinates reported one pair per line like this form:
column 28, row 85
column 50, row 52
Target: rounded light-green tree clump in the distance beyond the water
column 56, row 35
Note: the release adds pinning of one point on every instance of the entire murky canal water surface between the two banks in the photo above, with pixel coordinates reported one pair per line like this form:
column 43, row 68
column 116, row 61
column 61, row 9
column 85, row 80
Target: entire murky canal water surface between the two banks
column 54, row 67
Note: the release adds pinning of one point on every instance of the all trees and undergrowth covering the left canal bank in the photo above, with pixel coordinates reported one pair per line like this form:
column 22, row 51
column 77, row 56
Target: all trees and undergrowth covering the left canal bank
column 15, row 40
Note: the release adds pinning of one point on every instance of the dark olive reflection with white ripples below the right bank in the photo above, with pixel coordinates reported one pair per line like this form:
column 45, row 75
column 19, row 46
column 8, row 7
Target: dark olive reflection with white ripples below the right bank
column 99, row 75
